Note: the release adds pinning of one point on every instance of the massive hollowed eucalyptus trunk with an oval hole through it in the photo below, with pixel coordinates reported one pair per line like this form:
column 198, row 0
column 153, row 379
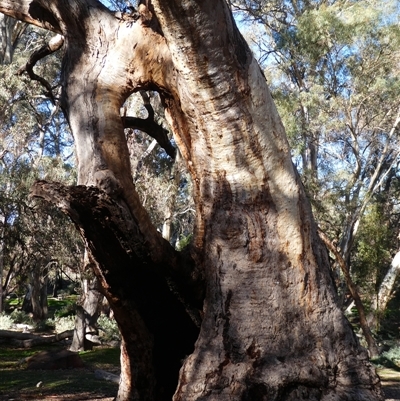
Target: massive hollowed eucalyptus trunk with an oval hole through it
column 270, row 325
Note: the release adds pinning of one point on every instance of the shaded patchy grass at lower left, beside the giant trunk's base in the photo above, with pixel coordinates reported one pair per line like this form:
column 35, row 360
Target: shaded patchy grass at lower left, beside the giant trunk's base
column 17, row 383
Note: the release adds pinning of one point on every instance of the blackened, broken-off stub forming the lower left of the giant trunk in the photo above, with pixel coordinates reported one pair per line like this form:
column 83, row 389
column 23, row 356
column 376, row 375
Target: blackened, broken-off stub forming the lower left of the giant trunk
column 155, row 326
